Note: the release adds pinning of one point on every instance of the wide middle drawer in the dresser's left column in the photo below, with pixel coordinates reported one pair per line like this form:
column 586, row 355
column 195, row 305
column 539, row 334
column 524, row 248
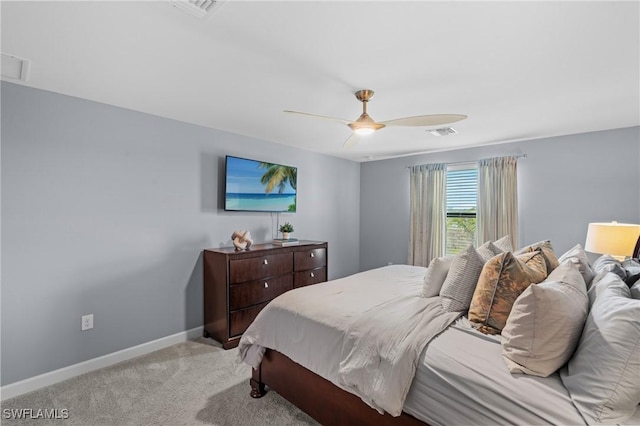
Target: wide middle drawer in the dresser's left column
column 254, row 292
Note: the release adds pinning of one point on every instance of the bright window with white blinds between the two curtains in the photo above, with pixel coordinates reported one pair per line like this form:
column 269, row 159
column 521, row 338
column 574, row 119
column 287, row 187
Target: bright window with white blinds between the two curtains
column 462, row 201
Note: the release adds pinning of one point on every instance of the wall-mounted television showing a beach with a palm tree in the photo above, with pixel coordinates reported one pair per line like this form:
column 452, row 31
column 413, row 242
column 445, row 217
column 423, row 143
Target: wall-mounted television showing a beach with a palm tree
column 259, row 186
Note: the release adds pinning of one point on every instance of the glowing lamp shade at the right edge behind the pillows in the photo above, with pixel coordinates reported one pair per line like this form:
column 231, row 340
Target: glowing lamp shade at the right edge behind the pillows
column 616, row 239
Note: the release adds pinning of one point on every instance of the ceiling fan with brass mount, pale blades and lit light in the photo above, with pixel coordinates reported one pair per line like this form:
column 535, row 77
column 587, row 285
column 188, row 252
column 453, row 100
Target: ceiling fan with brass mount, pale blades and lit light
column 365, row 125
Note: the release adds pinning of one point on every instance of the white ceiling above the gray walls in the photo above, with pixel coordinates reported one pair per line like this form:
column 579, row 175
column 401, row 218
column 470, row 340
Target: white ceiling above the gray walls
column 519, row 70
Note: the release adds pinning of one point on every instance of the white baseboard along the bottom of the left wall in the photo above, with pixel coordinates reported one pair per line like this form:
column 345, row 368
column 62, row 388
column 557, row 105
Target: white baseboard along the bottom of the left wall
column 46, row 379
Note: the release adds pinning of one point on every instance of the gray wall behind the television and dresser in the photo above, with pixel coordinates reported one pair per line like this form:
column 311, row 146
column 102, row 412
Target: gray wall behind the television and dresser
column 106, row 211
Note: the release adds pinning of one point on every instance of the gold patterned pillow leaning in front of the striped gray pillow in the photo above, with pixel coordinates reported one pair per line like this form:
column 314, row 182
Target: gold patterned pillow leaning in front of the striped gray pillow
column 503, row 278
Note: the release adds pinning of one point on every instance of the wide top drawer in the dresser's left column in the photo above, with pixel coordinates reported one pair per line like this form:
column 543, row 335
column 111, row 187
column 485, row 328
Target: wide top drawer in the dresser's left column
column 271, row 265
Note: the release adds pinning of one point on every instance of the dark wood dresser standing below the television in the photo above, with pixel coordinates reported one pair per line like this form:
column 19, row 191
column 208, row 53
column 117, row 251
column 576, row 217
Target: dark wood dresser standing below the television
column 238, row 284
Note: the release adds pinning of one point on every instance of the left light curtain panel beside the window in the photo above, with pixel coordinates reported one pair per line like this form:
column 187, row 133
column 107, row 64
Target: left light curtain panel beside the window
column 428, row 204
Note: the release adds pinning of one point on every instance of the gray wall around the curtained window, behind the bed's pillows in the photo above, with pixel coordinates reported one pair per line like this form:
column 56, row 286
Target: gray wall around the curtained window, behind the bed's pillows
column 563, row 184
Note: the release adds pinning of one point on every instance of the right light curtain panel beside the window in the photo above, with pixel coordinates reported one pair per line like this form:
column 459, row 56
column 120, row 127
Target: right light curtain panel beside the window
column 498, row 199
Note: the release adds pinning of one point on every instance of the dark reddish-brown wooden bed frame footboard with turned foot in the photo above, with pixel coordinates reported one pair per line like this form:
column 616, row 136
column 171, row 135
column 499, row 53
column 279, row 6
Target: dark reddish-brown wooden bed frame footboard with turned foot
column 316, row 396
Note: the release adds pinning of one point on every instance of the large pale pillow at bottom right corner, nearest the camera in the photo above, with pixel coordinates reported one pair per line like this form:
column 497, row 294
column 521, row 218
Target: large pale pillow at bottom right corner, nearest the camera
column 602, row 376
